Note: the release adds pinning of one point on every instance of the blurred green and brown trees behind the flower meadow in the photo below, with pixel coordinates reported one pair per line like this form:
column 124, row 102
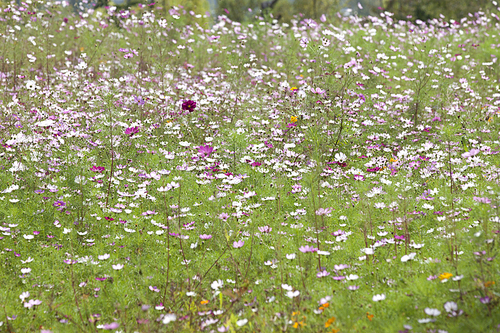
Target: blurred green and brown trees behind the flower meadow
column 286, row 10
